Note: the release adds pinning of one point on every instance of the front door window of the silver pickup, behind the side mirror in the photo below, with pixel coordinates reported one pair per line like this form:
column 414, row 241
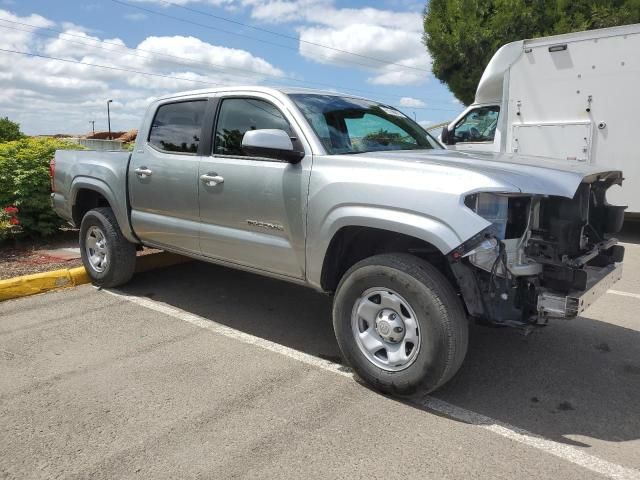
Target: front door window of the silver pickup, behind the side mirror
column 237, row 115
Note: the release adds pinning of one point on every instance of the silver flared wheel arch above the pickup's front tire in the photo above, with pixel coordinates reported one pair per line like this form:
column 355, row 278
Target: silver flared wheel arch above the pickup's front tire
column 431, row 230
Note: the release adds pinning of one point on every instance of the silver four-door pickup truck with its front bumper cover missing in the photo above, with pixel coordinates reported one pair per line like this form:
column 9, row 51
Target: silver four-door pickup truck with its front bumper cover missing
column 351, row 198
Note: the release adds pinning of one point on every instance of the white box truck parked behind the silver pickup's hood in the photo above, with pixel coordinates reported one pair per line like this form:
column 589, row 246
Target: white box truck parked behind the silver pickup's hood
column 575, row 97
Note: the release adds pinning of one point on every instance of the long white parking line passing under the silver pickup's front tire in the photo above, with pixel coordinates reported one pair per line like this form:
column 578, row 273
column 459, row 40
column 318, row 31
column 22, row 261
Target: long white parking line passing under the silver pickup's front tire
column 565, row 452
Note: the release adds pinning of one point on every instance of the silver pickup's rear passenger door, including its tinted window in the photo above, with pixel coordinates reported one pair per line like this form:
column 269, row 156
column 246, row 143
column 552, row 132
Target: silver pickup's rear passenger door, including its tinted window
column 163, row 177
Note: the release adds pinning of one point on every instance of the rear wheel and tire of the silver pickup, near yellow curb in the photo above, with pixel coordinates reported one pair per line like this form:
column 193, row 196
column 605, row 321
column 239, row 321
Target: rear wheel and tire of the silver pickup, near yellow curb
column 101, row 237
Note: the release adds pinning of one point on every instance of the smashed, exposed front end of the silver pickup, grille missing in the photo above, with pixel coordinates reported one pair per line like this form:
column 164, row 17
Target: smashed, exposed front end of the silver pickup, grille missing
column 542, row 256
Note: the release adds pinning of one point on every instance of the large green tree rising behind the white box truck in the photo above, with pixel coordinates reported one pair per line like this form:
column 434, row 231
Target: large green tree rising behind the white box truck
column 463, row 35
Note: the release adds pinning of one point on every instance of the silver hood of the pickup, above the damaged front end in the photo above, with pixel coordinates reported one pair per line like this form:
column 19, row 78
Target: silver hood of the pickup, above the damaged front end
column 528, row 174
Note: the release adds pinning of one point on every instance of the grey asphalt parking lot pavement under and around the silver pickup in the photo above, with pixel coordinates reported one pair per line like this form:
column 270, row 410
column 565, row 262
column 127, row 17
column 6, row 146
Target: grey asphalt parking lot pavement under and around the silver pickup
column 197, row 371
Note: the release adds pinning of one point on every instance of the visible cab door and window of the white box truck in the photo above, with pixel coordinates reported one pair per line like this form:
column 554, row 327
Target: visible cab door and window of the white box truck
column 476, row 130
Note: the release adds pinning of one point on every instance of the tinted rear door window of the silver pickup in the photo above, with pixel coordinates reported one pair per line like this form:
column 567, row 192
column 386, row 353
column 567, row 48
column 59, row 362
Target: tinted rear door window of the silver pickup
column 177, row 126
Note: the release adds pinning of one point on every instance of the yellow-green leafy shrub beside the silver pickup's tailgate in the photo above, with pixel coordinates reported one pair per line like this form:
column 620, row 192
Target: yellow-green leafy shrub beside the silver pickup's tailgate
column 25, row 183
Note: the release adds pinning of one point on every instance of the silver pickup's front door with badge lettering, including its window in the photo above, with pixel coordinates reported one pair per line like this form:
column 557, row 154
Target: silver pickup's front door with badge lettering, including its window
column 254, row 212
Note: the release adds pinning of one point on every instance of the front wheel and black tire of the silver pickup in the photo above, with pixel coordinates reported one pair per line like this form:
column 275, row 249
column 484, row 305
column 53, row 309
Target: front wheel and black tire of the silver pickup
column 420, row 296
